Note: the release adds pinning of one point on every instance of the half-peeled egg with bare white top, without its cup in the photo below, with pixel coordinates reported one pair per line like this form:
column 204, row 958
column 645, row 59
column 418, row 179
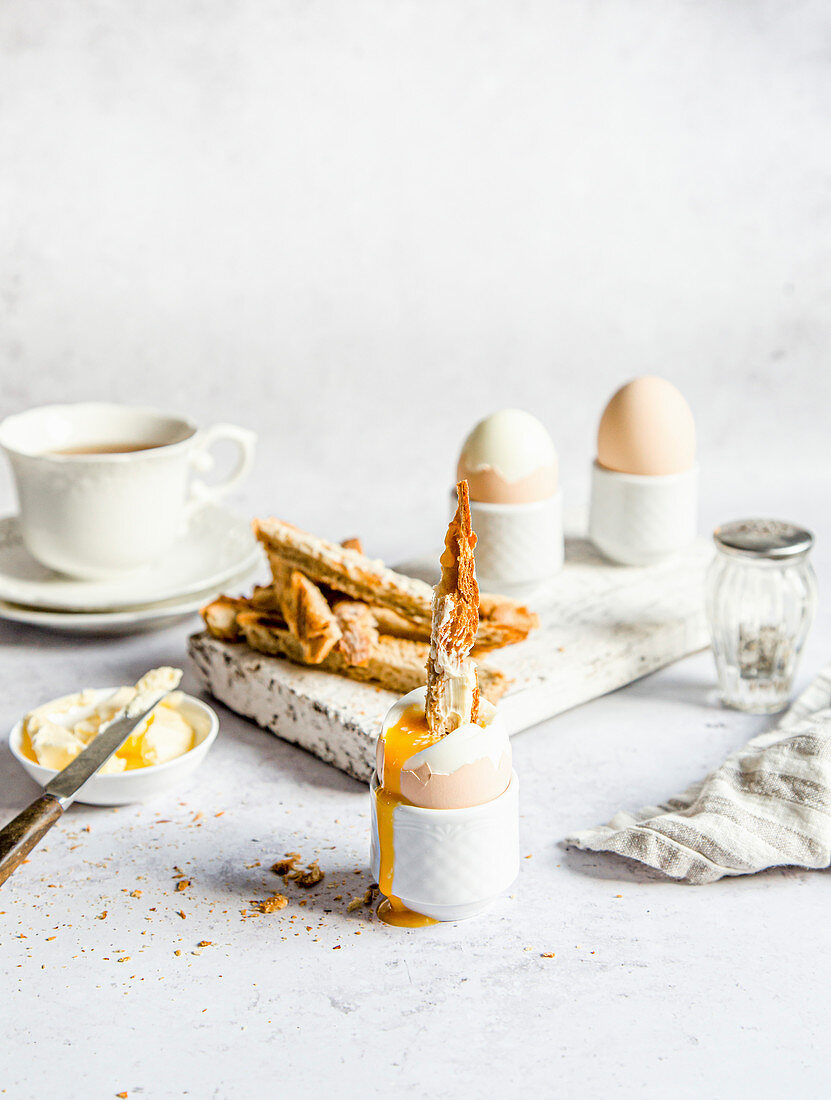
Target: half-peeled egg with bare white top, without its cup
column 509, row 458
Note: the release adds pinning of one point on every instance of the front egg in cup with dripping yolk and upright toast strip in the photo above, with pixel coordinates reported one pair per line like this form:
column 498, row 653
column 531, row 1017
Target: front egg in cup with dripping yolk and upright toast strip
column 444, row 798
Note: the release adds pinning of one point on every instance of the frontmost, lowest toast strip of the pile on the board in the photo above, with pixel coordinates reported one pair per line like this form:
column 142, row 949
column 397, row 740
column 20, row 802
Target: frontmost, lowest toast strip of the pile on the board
column 393, row 664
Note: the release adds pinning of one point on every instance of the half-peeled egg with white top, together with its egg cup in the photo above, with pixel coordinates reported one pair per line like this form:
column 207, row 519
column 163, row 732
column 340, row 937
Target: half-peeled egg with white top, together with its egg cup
column 511, row 467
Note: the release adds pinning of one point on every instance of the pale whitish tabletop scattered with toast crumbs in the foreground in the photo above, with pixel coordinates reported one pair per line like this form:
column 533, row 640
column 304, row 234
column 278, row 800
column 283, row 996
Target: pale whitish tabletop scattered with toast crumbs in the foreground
column 654, row 987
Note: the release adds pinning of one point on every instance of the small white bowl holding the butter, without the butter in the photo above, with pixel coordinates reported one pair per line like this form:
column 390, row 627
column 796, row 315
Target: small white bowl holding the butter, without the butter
column 140, row 784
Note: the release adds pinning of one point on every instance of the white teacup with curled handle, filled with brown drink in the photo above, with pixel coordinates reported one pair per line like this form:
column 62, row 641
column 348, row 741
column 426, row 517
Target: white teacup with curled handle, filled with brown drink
column 105, row 490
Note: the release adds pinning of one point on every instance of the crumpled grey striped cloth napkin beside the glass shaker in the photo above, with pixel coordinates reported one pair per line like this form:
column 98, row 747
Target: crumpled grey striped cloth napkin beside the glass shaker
column 768, row 806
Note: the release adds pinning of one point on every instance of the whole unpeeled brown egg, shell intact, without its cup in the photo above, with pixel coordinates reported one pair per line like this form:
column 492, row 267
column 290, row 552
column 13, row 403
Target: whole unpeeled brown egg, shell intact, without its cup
column 648, row 428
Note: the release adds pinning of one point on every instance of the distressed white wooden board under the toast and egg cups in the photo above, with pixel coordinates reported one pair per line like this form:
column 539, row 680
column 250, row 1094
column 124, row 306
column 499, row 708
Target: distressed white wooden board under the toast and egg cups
column 603, row 626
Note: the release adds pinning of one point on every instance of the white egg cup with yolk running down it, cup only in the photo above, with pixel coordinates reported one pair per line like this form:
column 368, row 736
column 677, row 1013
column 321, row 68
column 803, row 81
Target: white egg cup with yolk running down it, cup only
column 452, row 864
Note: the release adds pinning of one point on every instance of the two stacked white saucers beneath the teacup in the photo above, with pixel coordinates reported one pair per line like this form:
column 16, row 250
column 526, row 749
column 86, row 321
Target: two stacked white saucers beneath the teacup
column 217, row 552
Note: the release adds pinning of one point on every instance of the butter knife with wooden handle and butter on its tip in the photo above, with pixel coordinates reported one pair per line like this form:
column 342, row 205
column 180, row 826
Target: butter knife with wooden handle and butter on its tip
column 29, row 828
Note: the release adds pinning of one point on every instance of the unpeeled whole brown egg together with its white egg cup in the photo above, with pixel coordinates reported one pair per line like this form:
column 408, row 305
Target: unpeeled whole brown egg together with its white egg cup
column 644, row 487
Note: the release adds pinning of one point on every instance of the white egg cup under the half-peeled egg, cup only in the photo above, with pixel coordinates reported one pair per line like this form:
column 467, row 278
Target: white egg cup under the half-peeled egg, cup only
column 519, row 545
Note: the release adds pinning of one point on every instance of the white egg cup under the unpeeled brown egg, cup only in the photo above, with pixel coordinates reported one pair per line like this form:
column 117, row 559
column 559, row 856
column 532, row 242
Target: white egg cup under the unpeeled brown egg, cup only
column 639, row 521
